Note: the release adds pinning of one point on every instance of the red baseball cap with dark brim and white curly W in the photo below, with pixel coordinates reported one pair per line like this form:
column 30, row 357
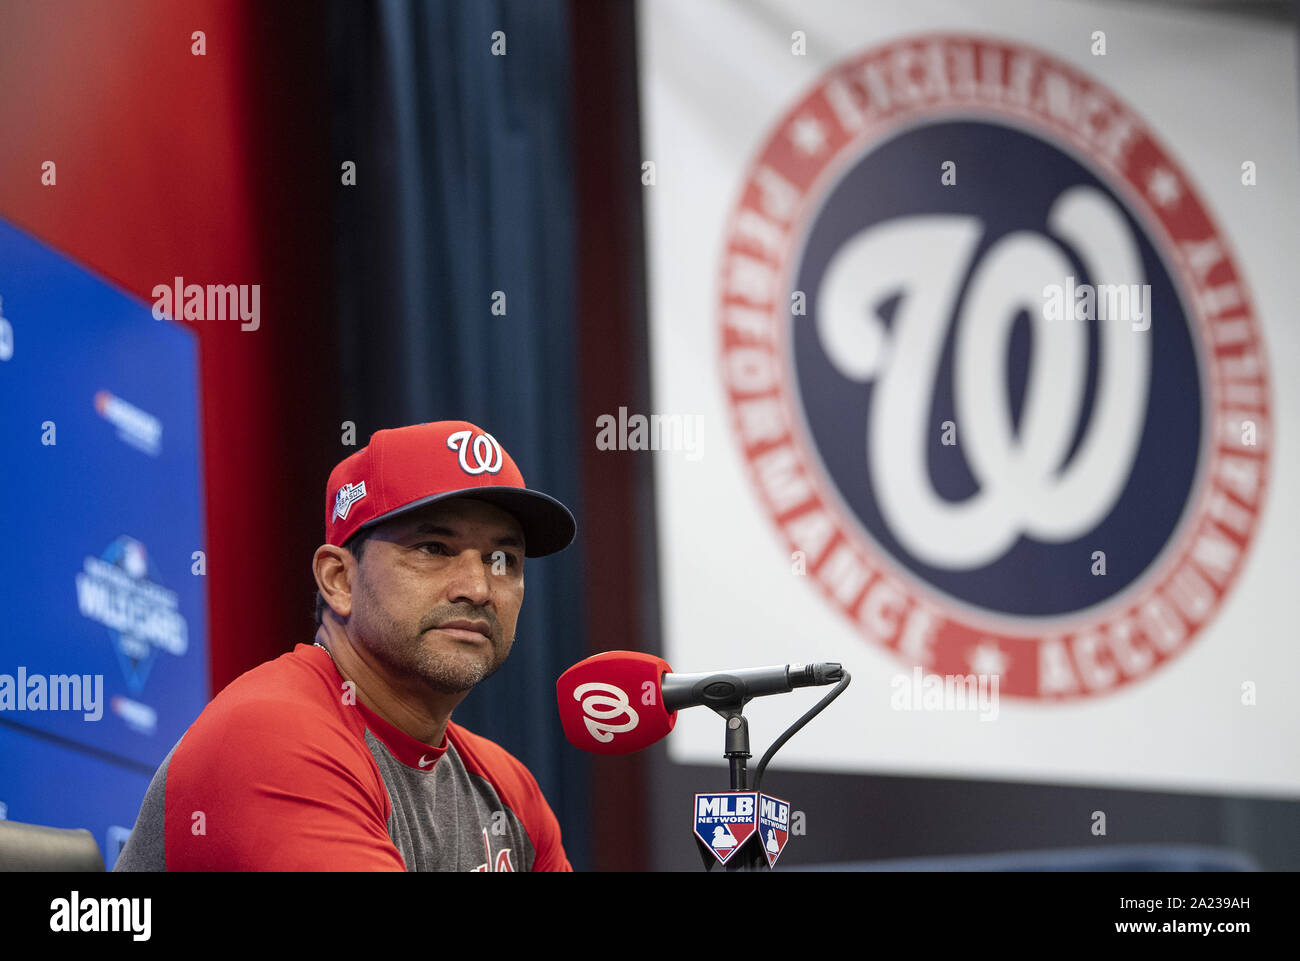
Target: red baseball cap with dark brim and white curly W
column 409, row 467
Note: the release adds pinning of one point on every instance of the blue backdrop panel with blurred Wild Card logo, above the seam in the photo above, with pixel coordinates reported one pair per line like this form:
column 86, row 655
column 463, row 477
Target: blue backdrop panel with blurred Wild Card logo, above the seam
column 101, row 517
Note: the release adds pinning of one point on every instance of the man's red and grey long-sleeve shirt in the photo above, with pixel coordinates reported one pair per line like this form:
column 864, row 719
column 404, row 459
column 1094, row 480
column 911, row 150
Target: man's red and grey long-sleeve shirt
column 287, row 770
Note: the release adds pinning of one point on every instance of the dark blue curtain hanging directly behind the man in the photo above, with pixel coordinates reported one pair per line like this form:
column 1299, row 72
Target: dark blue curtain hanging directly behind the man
column 463, row 201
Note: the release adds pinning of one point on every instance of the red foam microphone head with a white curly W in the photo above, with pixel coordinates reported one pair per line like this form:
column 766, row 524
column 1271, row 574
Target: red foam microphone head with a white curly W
column 612, row 703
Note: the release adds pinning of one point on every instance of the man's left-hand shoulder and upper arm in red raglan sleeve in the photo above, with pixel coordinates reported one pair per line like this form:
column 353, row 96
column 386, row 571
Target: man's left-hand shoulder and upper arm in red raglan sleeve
column 275, row 774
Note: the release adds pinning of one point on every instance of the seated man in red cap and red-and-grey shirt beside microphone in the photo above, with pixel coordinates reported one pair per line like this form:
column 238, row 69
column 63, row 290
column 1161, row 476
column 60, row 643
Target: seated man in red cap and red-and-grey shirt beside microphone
column 343, row 755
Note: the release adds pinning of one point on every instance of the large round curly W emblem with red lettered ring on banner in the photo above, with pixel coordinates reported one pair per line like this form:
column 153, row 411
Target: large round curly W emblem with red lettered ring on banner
column 980, row 475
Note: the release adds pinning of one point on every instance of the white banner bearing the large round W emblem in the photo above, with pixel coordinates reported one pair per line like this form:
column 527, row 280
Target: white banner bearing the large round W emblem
column 985, row 317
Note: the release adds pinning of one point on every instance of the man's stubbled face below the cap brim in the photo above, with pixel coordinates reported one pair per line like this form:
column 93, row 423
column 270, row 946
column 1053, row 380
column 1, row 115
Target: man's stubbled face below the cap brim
column 456, row 562
